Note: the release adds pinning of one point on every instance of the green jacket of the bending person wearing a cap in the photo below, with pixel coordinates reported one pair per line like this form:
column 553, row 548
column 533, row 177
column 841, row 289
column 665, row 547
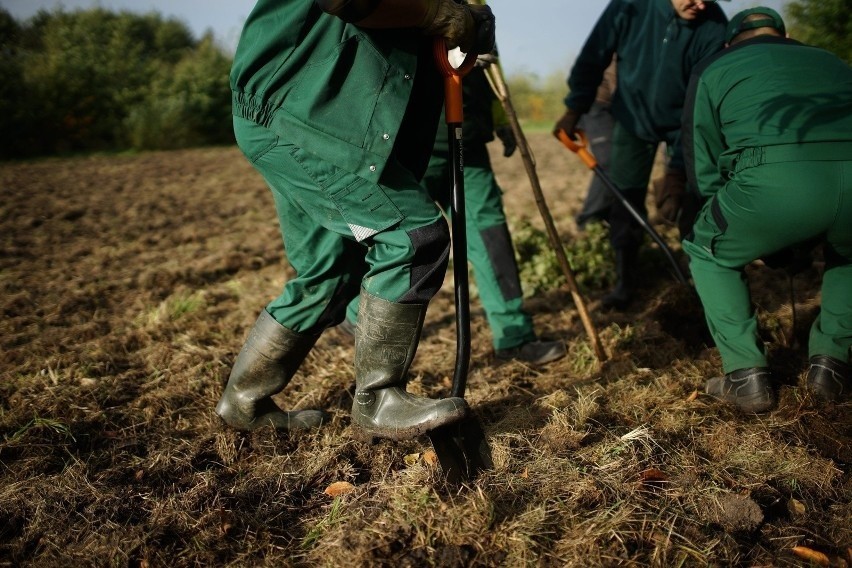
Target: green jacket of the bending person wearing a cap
column 766, row 92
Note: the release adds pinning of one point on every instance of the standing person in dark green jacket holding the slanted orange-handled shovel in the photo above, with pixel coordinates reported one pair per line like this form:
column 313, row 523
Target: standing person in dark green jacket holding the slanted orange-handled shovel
column 656, row 44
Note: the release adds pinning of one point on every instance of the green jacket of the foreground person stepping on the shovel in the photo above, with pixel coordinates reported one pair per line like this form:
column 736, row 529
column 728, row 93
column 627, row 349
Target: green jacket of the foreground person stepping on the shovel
column 337, row 90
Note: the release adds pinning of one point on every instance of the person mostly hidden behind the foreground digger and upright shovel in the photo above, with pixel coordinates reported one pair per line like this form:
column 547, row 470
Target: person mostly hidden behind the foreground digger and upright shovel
column 489, row 243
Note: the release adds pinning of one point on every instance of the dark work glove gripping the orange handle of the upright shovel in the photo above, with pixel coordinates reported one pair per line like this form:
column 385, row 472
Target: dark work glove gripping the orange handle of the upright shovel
column 469, row 27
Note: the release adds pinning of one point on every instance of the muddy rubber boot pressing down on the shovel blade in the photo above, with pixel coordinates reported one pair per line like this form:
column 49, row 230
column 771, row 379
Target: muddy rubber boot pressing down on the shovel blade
column 385, row 343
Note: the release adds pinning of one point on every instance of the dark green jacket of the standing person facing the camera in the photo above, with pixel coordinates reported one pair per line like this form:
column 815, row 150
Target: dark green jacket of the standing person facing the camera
column 656, row 52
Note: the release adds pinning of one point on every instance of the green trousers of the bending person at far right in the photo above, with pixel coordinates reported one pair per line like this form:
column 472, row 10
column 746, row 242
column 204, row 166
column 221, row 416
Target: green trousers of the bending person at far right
column 770, row 204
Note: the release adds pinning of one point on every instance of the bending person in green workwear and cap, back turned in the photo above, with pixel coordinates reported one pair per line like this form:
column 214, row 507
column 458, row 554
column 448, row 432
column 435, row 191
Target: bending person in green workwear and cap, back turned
column 768, row 142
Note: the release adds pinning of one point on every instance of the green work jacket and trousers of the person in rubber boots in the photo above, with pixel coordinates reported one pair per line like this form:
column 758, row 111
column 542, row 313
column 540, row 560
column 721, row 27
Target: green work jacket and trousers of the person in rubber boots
column 344, row 175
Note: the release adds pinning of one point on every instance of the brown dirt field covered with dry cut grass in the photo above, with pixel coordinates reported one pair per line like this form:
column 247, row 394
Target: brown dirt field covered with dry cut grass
column 128, row 284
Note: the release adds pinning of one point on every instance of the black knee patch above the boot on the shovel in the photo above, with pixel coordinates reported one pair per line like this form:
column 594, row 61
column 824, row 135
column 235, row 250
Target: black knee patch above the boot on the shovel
column 431, row 256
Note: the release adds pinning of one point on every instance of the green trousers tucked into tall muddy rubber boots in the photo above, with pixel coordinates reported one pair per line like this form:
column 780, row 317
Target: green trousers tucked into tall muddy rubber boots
column 342, row 232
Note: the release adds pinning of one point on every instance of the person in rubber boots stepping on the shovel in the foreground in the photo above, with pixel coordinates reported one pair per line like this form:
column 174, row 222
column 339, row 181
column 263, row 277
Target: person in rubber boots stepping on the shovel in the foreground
column 336, row 104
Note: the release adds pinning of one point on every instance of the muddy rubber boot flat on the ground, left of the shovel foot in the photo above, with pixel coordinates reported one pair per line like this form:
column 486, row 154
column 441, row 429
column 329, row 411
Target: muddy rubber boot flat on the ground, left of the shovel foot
column 268, row 360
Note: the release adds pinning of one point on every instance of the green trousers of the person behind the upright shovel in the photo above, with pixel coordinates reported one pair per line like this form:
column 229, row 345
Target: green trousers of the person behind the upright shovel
column 489, row 244
